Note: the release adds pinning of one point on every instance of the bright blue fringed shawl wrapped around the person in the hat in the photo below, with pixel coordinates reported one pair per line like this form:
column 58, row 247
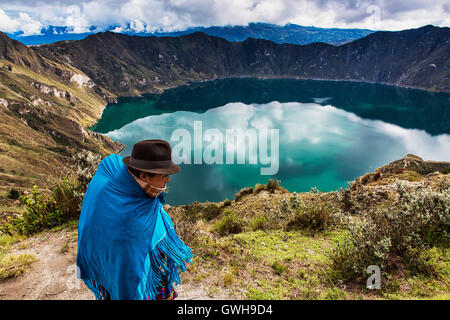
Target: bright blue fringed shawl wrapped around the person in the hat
column 126, row 240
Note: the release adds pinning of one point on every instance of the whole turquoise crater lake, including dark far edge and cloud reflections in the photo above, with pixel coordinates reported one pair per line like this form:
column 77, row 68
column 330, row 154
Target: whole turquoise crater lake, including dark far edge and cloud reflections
column 329, row 132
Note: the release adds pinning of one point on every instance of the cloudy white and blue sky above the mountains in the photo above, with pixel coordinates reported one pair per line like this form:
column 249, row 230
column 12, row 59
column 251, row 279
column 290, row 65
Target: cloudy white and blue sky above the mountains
column 30, row 16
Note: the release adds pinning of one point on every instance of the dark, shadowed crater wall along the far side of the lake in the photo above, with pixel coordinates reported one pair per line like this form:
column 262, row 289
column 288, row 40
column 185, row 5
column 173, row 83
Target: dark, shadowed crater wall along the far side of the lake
column 130, row 65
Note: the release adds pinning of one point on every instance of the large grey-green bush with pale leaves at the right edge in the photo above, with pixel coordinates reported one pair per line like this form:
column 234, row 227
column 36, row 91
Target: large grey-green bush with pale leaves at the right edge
column 404, row 228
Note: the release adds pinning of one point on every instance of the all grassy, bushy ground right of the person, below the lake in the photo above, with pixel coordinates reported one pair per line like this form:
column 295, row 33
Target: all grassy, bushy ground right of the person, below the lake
column 318, row 245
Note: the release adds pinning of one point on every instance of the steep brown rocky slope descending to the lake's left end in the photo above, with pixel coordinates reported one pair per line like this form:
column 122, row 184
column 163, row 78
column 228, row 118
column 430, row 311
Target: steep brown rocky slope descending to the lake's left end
column 45, row 107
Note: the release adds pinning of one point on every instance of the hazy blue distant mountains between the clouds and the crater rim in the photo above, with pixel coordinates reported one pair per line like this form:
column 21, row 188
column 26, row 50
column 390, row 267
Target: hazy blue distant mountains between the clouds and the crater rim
column 289, row 33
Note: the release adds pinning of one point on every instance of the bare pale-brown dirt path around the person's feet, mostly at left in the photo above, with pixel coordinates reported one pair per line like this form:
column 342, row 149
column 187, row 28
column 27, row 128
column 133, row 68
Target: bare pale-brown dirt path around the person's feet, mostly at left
column 53, row 275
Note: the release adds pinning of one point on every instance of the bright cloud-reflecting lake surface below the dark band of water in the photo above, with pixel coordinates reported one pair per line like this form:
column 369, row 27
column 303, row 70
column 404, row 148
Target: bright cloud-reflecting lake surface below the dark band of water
column 320, row 146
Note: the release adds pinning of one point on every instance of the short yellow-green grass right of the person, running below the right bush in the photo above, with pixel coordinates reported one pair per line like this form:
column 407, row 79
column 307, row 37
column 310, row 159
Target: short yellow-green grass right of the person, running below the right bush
column 279, row 264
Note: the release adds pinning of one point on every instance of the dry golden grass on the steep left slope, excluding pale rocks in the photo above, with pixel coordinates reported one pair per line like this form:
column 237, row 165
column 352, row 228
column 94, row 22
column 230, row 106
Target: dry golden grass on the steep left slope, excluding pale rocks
column 41, row 153
